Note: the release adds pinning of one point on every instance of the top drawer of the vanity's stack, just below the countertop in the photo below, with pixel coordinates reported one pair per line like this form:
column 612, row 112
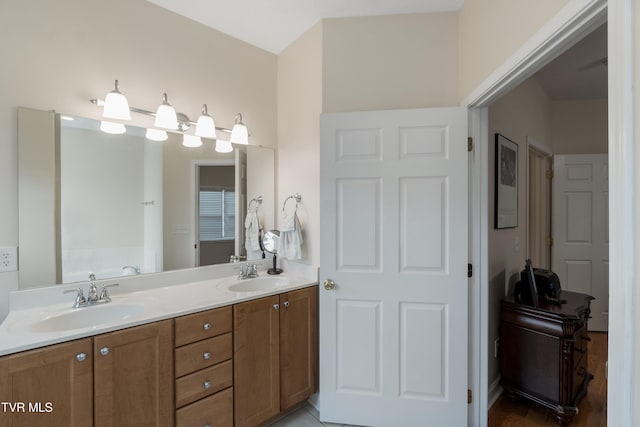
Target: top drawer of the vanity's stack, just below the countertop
column 199, row 326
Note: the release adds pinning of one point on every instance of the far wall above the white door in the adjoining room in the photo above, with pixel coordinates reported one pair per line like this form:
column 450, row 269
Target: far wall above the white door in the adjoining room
column 579, row 126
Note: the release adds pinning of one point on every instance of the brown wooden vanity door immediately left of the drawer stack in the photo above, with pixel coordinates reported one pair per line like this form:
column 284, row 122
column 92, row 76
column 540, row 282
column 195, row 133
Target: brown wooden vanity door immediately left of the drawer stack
column 133, row 377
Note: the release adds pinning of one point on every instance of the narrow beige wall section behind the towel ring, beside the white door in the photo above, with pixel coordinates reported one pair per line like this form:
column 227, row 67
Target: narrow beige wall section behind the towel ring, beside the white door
column 298, row 154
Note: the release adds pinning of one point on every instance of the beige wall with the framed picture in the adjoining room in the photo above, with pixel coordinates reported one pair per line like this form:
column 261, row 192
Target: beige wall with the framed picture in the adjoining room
column 523, row 112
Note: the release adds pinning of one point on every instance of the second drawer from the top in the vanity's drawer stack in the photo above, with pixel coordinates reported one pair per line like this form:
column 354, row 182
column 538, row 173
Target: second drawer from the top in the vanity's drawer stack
column 201, row 354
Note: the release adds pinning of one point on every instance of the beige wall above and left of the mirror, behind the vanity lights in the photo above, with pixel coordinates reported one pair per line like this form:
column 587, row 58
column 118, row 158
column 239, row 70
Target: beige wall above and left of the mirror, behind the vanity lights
column 58, row 55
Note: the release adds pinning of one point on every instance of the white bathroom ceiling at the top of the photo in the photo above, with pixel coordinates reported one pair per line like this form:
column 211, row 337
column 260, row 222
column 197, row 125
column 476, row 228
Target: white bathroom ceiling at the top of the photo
column 274, row 24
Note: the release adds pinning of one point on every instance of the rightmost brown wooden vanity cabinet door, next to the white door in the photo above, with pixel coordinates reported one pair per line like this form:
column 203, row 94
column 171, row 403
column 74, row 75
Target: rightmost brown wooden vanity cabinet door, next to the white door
column 298, row 346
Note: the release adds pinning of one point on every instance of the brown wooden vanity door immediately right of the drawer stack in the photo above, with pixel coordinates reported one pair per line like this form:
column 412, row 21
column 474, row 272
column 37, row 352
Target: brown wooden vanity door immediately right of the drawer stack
column 256, row 361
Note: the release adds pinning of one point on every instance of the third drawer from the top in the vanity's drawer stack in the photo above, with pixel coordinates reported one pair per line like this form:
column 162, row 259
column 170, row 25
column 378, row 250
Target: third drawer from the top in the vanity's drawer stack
column 203, row 383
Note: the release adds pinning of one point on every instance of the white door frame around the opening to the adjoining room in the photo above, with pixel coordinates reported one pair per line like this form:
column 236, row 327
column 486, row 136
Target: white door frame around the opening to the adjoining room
column 574, row 21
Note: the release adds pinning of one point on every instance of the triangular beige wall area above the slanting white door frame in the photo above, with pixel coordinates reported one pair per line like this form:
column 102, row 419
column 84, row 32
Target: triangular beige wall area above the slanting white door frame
column 493, row 30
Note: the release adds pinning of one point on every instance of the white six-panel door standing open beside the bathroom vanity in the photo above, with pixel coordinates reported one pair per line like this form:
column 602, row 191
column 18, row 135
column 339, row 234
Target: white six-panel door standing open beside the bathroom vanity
column 393, row 330
